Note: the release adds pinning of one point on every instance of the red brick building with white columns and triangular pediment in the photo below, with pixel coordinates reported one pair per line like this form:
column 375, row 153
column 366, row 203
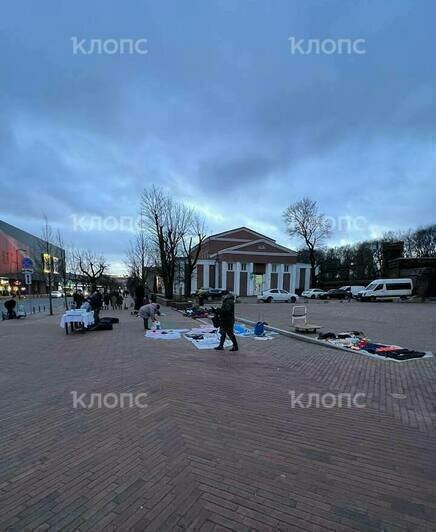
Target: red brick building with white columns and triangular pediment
column 247, row 262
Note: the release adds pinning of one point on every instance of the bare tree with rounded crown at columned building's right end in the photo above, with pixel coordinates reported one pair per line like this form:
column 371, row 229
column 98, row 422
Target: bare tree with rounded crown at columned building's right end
column 304, row 220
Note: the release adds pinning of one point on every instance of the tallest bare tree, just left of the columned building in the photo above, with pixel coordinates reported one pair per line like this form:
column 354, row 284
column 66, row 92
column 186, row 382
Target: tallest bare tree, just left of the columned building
column 168, row 222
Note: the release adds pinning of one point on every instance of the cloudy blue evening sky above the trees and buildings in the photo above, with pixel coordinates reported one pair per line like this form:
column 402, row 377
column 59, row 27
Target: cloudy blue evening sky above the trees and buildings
column 223, row 111
